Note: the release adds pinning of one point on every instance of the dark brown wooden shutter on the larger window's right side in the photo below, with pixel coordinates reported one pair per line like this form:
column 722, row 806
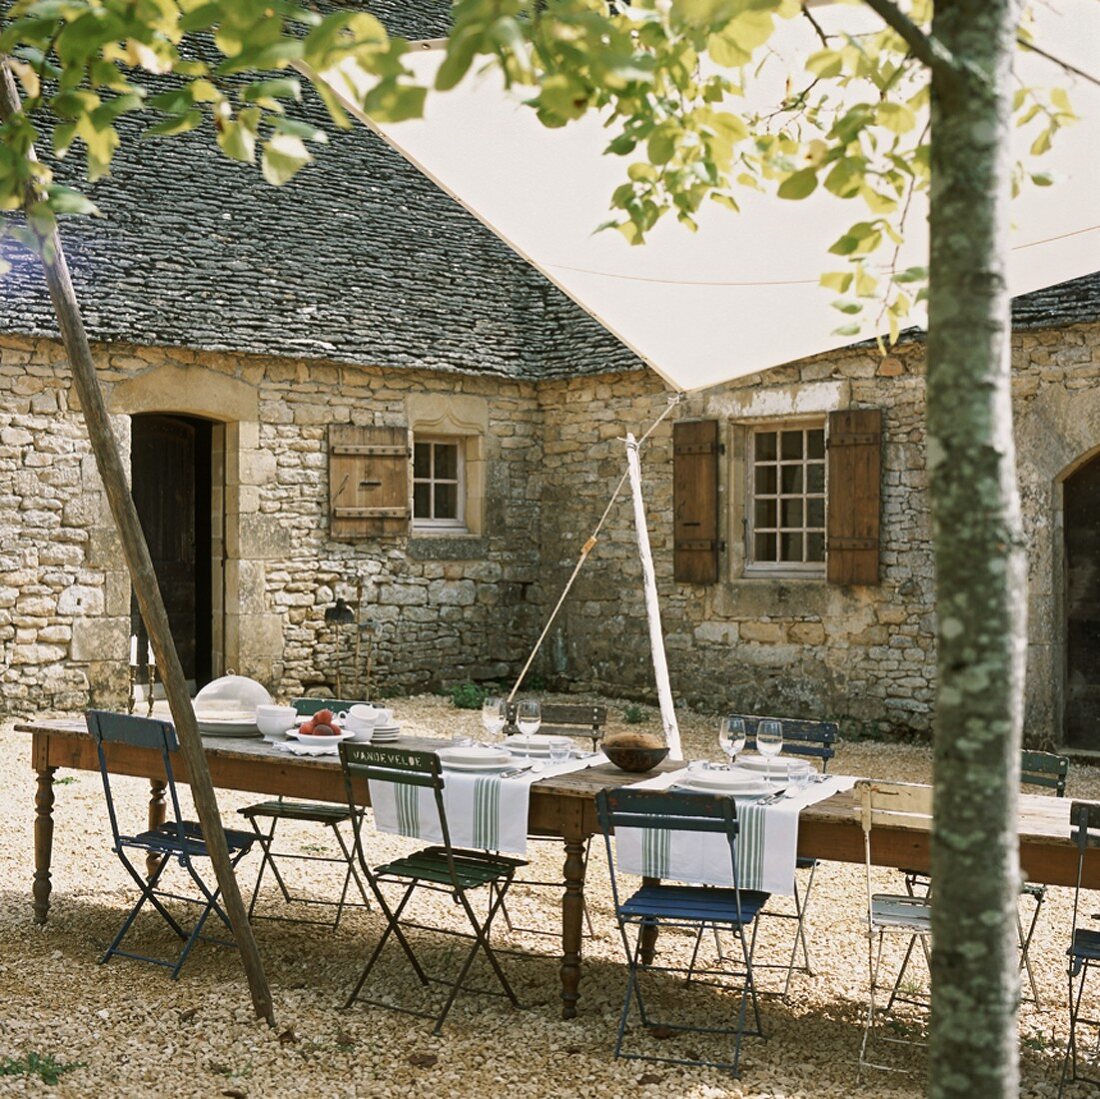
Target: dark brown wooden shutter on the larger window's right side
column 855, row 472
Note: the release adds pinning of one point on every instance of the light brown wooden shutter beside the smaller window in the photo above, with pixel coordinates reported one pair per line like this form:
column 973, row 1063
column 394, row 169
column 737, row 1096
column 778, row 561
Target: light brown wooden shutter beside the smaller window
column 369, row 481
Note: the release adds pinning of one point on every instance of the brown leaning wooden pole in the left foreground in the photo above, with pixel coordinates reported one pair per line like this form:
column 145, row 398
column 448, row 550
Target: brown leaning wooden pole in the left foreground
column 144, row 579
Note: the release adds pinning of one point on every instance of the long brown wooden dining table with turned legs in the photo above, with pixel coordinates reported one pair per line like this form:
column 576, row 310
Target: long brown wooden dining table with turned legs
column 563, row 808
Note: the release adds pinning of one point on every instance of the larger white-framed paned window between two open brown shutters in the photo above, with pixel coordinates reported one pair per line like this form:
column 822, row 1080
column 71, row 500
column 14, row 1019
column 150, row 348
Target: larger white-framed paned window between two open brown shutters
column 786, row 498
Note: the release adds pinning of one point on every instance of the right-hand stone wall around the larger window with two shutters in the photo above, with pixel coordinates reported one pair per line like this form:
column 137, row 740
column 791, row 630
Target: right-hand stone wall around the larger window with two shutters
column 863, row 655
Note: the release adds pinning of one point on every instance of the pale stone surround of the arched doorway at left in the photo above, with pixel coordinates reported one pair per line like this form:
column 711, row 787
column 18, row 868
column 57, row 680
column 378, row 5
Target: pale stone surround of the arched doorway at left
column 247, row 639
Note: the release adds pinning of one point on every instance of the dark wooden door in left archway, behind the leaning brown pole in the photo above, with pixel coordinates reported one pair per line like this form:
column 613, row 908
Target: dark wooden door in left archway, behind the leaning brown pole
column 169, row 457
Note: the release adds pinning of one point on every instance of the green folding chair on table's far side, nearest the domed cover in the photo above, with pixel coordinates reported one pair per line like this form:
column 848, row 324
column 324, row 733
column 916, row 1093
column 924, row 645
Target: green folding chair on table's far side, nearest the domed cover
column 332, row 817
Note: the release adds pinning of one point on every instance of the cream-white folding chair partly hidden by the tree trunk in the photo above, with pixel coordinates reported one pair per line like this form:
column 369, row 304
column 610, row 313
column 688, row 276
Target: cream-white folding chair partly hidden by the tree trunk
column 900, row 805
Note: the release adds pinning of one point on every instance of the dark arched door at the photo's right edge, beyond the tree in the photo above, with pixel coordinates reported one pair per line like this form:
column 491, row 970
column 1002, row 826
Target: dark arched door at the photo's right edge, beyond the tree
column 1082, row 513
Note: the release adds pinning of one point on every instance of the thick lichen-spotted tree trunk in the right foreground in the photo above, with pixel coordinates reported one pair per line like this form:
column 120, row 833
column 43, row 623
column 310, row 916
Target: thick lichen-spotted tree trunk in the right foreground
column 981, row 563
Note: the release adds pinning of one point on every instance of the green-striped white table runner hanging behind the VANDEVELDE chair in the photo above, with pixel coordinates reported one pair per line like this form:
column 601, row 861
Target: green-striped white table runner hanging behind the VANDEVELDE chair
column 483, row 811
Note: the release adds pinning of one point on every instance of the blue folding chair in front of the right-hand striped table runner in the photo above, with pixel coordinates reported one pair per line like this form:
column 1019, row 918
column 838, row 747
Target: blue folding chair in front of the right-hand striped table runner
column 654, row 907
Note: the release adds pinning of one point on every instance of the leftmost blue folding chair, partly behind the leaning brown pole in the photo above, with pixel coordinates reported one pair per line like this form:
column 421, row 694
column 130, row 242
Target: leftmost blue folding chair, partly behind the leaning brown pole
column 175, row 840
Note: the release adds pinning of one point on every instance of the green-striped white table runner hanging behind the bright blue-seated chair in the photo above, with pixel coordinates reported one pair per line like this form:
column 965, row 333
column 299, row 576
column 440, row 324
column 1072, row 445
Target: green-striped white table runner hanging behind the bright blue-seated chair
column 767, row 842
